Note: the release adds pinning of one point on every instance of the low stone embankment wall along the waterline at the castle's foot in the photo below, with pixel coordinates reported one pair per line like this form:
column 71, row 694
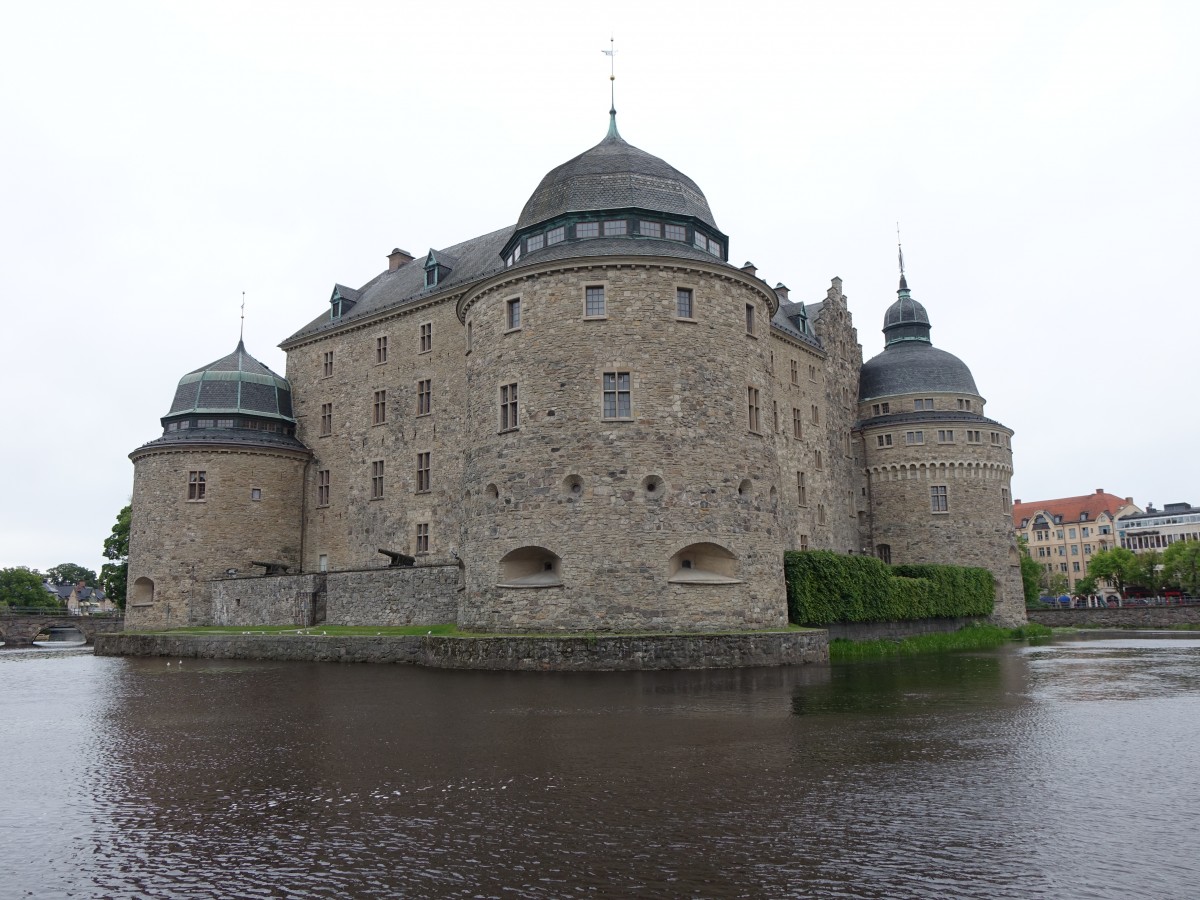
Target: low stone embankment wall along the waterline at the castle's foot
column 518, row 653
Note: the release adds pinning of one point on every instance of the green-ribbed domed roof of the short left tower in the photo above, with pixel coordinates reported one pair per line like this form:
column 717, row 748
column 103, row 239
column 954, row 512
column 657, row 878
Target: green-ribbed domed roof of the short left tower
column 236, row 385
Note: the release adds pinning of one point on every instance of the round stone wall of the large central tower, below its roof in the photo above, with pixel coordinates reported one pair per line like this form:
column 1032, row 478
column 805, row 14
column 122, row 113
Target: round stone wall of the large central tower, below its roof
column 611, row 503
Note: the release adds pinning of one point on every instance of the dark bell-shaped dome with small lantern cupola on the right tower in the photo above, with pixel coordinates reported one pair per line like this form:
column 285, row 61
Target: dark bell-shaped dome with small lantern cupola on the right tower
column 910, row 364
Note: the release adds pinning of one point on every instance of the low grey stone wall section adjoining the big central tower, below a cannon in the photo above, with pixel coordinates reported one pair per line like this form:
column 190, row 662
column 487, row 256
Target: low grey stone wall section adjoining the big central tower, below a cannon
column 412, row 596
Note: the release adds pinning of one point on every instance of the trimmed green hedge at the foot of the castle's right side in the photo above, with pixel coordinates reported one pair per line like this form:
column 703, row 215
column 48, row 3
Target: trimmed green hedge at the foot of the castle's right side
column 826, row 587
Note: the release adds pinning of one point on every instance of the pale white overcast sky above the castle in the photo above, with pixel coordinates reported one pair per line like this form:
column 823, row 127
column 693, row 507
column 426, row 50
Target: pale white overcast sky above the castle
column 161, row 159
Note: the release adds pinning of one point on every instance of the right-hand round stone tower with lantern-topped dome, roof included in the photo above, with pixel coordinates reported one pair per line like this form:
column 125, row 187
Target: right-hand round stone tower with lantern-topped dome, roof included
column 939, row 472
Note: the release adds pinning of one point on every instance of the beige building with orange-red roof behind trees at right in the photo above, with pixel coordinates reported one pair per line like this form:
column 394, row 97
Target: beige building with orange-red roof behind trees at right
column 1065, row 533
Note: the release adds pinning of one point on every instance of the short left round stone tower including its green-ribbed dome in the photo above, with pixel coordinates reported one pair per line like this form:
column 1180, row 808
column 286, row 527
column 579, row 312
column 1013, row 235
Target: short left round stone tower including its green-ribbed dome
column 220, row 490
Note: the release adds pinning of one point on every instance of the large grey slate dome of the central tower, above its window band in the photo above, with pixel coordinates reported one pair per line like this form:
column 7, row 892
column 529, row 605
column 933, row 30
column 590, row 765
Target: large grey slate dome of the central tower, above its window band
column 615, row 175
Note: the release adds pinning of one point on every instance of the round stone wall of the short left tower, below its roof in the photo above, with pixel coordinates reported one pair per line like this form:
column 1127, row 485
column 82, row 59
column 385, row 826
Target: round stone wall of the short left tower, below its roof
column 178, row 545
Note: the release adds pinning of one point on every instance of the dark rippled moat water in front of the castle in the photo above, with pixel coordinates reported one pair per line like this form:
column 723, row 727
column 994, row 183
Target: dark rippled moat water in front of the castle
column 1070, row 771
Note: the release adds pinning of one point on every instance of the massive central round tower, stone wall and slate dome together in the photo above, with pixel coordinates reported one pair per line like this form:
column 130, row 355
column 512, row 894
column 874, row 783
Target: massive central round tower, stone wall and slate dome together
column 619, row 473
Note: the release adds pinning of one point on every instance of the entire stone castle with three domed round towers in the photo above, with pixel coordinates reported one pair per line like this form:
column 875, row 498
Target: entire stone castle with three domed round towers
column 587, row 422
